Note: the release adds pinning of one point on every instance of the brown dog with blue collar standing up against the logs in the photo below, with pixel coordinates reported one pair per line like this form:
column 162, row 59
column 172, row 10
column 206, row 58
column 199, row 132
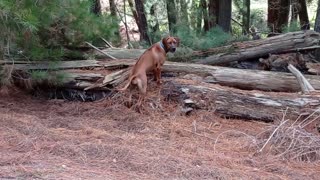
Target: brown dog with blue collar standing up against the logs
column 151, row 60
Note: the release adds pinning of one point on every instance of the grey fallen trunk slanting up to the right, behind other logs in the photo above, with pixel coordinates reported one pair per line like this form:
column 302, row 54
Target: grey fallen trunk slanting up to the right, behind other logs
column 261, row 48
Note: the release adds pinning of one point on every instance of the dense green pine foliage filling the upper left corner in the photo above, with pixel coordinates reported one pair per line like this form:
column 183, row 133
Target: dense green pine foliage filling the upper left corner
column 38, row 30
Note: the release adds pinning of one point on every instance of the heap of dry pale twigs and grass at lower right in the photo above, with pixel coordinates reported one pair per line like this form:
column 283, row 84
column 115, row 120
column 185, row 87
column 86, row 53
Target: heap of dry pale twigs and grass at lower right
column 290, row 140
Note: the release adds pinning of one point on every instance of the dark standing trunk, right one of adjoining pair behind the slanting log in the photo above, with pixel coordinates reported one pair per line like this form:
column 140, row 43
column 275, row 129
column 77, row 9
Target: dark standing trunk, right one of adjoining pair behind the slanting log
column 225, row 9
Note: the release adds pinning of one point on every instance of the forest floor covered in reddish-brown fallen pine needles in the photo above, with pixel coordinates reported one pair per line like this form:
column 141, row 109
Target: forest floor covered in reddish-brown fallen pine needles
column 59, row 139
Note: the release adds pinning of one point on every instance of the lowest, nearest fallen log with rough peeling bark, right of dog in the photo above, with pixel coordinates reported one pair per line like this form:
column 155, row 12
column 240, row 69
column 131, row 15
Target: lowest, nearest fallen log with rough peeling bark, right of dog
column 239, row 104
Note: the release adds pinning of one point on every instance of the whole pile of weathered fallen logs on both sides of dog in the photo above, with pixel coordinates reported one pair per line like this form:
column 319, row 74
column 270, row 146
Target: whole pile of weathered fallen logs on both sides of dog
column 289, row 53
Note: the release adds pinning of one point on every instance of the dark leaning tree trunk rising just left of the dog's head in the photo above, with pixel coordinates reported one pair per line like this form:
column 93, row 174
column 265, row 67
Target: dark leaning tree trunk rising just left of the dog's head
column 143, row 25
